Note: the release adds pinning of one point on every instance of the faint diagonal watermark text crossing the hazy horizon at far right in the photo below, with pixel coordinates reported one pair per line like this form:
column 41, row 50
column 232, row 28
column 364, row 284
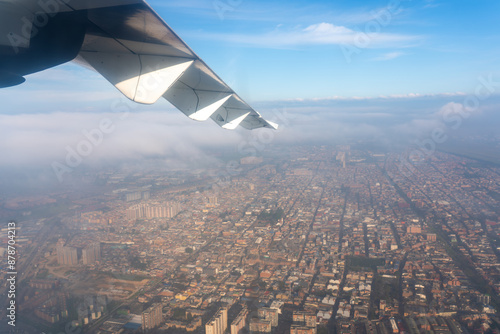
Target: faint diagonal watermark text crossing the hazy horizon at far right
column 453, row 118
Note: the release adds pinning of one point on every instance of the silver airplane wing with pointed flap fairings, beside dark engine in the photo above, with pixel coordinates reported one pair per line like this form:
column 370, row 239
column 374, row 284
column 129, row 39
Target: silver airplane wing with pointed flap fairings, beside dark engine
column 135, row 50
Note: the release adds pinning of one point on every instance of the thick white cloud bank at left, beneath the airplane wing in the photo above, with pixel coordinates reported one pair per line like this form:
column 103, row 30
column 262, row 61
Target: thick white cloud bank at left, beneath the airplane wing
column 41, row 139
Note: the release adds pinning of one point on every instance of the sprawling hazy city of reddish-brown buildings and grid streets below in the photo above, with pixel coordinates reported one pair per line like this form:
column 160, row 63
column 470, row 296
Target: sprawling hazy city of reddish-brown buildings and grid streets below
column 303, row 239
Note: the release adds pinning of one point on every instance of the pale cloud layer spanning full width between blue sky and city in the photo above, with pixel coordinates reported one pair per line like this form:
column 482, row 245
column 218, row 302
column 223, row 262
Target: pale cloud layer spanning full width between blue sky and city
column 169, row 136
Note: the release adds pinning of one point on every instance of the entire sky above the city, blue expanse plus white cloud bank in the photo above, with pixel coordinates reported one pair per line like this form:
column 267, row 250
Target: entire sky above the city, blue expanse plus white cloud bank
column 324, row 70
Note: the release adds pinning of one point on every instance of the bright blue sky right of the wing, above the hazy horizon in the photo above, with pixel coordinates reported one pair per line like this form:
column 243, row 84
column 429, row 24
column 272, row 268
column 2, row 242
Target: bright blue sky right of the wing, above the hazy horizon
column 297, row 49
